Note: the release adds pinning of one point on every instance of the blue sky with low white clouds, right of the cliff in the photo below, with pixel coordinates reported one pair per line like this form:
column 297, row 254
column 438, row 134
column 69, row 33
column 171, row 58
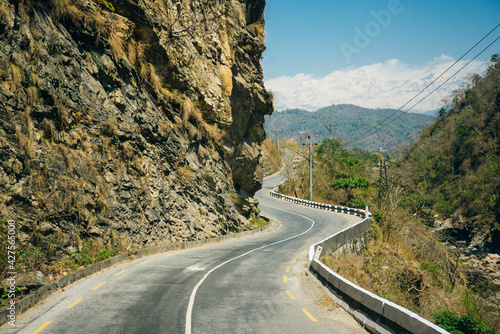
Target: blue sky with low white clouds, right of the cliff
column 308, row 41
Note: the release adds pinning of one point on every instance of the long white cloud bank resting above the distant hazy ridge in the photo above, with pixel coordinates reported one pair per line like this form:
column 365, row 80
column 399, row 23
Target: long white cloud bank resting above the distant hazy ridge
column 381, row 85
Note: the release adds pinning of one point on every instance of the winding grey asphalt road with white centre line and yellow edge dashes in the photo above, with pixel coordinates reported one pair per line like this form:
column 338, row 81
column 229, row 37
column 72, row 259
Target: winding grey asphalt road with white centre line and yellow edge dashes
column 254, row 284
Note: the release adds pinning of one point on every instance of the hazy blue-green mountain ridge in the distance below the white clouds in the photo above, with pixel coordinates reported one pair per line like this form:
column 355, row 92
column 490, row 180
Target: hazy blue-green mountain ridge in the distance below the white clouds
column 351, row 120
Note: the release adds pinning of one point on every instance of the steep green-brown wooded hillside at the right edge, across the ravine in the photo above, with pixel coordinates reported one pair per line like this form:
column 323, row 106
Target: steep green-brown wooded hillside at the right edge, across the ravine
column 453, row 170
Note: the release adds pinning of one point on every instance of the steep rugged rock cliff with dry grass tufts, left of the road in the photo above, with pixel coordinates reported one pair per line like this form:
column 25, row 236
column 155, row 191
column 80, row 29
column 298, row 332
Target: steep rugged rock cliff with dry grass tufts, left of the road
column 129, row 122
